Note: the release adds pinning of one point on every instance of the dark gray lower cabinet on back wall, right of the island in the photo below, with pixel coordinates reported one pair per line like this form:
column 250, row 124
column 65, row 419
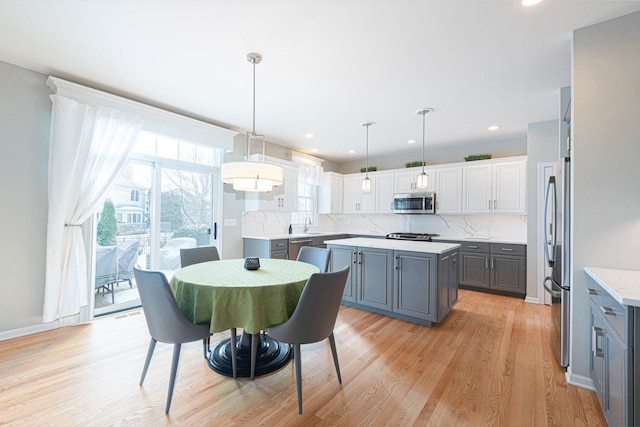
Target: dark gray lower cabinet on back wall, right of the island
column 494, row 267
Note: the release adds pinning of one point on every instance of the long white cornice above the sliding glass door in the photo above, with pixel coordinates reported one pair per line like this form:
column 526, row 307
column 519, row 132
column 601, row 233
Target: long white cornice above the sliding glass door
column 156, row 120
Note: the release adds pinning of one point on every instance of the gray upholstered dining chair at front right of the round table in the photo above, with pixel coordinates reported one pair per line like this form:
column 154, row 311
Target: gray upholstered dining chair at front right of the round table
column 313, row 319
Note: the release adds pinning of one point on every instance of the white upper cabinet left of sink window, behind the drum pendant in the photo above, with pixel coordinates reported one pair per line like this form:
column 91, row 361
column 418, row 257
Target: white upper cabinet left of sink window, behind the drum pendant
column 282, row 198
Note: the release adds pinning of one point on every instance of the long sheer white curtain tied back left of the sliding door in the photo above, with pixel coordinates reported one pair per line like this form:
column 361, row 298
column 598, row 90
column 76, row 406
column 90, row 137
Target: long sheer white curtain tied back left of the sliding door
column 89, row 147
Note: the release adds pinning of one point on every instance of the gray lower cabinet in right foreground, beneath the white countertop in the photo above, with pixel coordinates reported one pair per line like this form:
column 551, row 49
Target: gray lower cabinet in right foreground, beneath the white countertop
column 614, row 333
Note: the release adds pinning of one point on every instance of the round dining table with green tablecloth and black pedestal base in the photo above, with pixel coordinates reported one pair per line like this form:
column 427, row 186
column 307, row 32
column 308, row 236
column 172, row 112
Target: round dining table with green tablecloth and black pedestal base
column 224, row 295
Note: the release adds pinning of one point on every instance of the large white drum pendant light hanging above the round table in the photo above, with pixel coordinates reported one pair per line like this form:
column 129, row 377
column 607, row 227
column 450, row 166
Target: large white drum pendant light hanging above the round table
column 249, row 175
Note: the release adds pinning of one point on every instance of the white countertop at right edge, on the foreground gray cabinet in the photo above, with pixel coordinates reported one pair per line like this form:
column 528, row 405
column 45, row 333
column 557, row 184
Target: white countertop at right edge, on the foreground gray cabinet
column 622, row 285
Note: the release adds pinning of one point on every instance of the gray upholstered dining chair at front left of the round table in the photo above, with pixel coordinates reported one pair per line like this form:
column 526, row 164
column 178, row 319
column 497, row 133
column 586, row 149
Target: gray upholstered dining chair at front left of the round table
column 166, row 322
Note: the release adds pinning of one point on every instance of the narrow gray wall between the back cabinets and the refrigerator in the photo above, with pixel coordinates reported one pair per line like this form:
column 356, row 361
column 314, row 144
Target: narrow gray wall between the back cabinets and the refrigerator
column 542, row 146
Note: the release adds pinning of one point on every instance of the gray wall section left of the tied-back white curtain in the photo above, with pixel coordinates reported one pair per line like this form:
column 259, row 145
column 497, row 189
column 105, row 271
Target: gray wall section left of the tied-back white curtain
column 25, row 115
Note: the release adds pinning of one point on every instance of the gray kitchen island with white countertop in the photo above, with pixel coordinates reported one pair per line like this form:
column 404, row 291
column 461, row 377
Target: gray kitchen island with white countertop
column 414, row 281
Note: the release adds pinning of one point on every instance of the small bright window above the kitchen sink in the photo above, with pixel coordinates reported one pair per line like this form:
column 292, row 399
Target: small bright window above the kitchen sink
column 309, row 175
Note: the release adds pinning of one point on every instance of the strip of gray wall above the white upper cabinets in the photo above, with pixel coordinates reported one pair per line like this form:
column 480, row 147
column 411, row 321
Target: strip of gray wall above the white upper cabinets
column 441, row 155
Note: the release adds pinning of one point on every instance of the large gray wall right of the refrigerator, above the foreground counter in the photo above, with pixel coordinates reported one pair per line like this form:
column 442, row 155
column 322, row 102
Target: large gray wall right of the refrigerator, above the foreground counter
column 606, row 135
